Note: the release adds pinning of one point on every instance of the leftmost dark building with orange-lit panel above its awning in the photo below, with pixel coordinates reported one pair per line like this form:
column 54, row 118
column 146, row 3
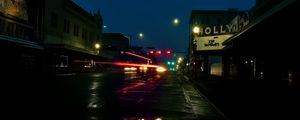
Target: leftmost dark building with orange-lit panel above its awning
column 20, row 41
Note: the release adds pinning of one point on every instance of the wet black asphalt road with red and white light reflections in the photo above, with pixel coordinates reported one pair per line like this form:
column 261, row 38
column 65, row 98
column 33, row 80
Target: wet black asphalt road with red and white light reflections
column 122, row 96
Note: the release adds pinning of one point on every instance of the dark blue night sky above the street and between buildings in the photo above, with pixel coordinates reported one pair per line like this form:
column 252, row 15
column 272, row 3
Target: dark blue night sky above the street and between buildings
column 154, row 18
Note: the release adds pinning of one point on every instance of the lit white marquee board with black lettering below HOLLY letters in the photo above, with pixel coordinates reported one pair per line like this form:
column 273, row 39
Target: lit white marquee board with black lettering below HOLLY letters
column 211, row 42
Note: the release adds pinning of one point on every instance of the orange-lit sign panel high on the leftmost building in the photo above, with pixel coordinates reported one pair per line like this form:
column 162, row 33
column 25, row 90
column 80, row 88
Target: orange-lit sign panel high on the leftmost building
column 16, row 8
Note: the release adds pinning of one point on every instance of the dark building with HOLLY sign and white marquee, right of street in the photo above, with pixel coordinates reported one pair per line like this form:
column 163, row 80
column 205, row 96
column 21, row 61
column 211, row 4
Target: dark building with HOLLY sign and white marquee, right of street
column 208, row 30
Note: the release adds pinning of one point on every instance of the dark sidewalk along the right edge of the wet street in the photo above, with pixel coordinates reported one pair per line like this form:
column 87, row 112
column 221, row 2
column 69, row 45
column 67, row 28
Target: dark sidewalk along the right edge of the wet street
column 240, row 101
